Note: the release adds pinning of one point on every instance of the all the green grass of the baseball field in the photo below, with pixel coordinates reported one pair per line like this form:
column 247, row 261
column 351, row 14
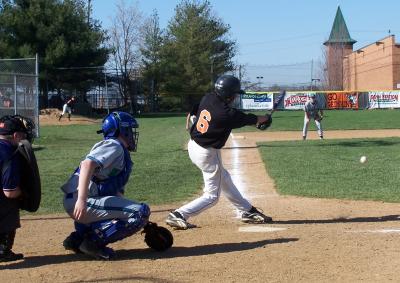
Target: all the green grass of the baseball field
column 163, row 172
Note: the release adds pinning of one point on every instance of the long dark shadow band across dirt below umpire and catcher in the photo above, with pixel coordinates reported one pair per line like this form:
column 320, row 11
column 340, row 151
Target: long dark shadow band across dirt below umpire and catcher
column 174, row 252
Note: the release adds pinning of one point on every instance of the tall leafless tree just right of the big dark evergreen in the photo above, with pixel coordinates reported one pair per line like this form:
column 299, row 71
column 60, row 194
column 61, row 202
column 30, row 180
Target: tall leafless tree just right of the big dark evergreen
column 125, row 41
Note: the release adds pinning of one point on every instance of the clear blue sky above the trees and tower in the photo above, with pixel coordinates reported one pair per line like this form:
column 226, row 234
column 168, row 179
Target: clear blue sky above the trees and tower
column 273, row 33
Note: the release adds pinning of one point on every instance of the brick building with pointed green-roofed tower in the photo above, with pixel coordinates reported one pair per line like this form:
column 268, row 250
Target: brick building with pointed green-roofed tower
column 372, row 67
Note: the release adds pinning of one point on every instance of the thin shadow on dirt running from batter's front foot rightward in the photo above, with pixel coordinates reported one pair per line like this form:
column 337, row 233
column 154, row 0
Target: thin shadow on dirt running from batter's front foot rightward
column 342, row 220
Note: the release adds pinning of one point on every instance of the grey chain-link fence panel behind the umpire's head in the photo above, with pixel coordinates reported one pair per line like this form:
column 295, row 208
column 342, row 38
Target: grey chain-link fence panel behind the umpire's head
column 19, row 88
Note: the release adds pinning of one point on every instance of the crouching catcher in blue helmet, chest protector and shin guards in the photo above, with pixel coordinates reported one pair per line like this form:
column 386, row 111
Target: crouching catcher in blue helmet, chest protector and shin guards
column 94, row 194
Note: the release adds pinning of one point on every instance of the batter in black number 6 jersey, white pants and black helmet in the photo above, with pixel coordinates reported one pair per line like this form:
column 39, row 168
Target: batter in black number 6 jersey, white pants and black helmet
column 215, row 121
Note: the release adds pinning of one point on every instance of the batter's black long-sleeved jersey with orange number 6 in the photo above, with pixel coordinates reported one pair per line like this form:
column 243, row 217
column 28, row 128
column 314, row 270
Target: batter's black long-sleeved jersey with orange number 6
column 215, row 121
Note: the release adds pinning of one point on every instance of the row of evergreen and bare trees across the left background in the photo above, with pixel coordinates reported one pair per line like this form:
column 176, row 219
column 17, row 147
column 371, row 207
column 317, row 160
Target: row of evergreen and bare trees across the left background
column 75, row 51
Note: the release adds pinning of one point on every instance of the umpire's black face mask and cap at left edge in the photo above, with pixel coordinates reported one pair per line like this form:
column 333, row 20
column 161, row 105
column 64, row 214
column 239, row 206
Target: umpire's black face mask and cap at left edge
column 10, row 124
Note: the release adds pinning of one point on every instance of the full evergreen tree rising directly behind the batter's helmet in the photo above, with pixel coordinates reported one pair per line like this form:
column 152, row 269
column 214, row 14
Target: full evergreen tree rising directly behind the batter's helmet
column 196, row 52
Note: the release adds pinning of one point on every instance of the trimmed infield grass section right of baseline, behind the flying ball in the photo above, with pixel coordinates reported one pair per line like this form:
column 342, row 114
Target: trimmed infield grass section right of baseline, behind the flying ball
column 332, row 168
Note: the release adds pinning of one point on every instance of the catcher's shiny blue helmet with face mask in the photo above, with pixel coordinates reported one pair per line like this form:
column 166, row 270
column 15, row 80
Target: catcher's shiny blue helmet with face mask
column 121, row 123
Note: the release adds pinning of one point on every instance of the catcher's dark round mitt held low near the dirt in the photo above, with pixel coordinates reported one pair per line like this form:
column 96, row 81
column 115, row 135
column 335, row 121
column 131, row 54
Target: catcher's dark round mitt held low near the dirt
column 157, row 237
